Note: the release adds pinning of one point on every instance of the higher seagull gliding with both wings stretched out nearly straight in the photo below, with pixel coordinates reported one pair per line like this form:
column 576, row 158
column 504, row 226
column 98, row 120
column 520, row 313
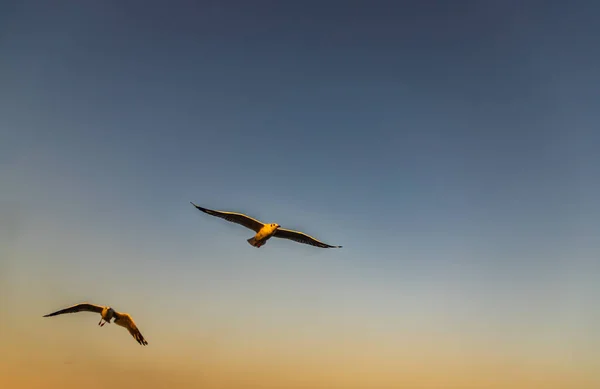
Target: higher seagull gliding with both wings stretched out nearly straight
column 264, row 232
